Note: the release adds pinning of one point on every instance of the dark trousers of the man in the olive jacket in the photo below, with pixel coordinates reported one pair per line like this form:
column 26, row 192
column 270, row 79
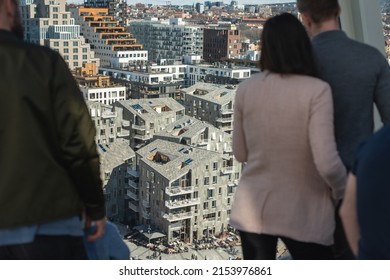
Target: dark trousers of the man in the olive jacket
column 46, row 247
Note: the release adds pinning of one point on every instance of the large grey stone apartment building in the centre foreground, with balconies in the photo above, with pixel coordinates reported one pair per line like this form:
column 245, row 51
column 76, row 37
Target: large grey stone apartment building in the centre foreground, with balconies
column 183, row 191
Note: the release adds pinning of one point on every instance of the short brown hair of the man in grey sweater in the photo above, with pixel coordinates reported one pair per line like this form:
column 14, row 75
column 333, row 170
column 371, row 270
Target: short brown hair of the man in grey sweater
column 319, row 10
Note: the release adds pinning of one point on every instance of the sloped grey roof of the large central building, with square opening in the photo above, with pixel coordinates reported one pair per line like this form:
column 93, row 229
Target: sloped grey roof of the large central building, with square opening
column 172, row 160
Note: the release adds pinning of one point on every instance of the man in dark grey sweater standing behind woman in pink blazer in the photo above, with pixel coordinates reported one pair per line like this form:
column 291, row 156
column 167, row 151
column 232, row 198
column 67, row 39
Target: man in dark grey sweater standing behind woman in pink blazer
column 358, row 75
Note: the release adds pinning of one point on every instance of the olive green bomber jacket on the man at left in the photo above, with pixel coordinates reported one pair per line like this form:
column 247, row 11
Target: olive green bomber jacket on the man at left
column 48, row 160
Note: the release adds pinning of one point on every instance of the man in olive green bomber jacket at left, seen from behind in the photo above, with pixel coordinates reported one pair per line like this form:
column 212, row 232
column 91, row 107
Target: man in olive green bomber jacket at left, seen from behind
column 49, row 163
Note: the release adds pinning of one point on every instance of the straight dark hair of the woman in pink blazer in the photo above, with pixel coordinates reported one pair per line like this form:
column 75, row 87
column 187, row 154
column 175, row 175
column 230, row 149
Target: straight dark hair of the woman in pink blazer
column 286, row 47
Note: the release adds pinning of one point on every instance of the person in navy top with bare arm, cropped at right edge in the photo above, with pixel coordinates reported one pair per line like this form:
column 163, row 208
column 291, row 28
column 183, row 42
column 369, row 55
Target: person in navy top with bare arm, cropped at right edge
column 365, row 209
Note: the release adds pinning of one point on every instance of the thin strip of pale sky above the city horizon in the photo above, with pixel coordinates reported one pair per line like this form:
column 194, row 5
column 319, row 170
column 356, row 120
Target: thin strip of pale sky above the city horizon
column 190, row 2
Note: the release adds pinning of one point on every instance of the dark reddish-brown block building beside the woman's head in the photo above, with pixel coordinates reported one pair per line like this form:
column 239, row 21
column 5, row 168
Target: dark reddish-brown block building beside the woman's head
column 221, row 41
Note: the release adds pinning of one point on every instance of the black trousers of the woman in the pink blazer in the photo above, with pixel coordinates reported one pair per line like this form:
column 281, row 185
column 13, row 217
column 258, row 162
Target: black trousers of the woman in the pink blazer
column 263, row 247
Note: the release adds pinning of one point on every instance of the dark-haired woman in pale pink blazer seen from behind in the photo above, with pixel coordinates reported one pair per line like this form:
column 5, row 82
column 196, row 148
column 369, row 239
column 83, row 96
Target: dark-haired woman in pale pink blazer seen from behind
column 283, row 131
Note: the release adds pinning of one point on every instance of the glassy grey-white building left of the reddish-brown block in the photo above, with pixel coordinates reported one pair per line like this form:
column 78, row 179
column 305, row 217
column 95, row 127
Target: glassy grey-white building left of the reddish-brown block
column 171, row 39
